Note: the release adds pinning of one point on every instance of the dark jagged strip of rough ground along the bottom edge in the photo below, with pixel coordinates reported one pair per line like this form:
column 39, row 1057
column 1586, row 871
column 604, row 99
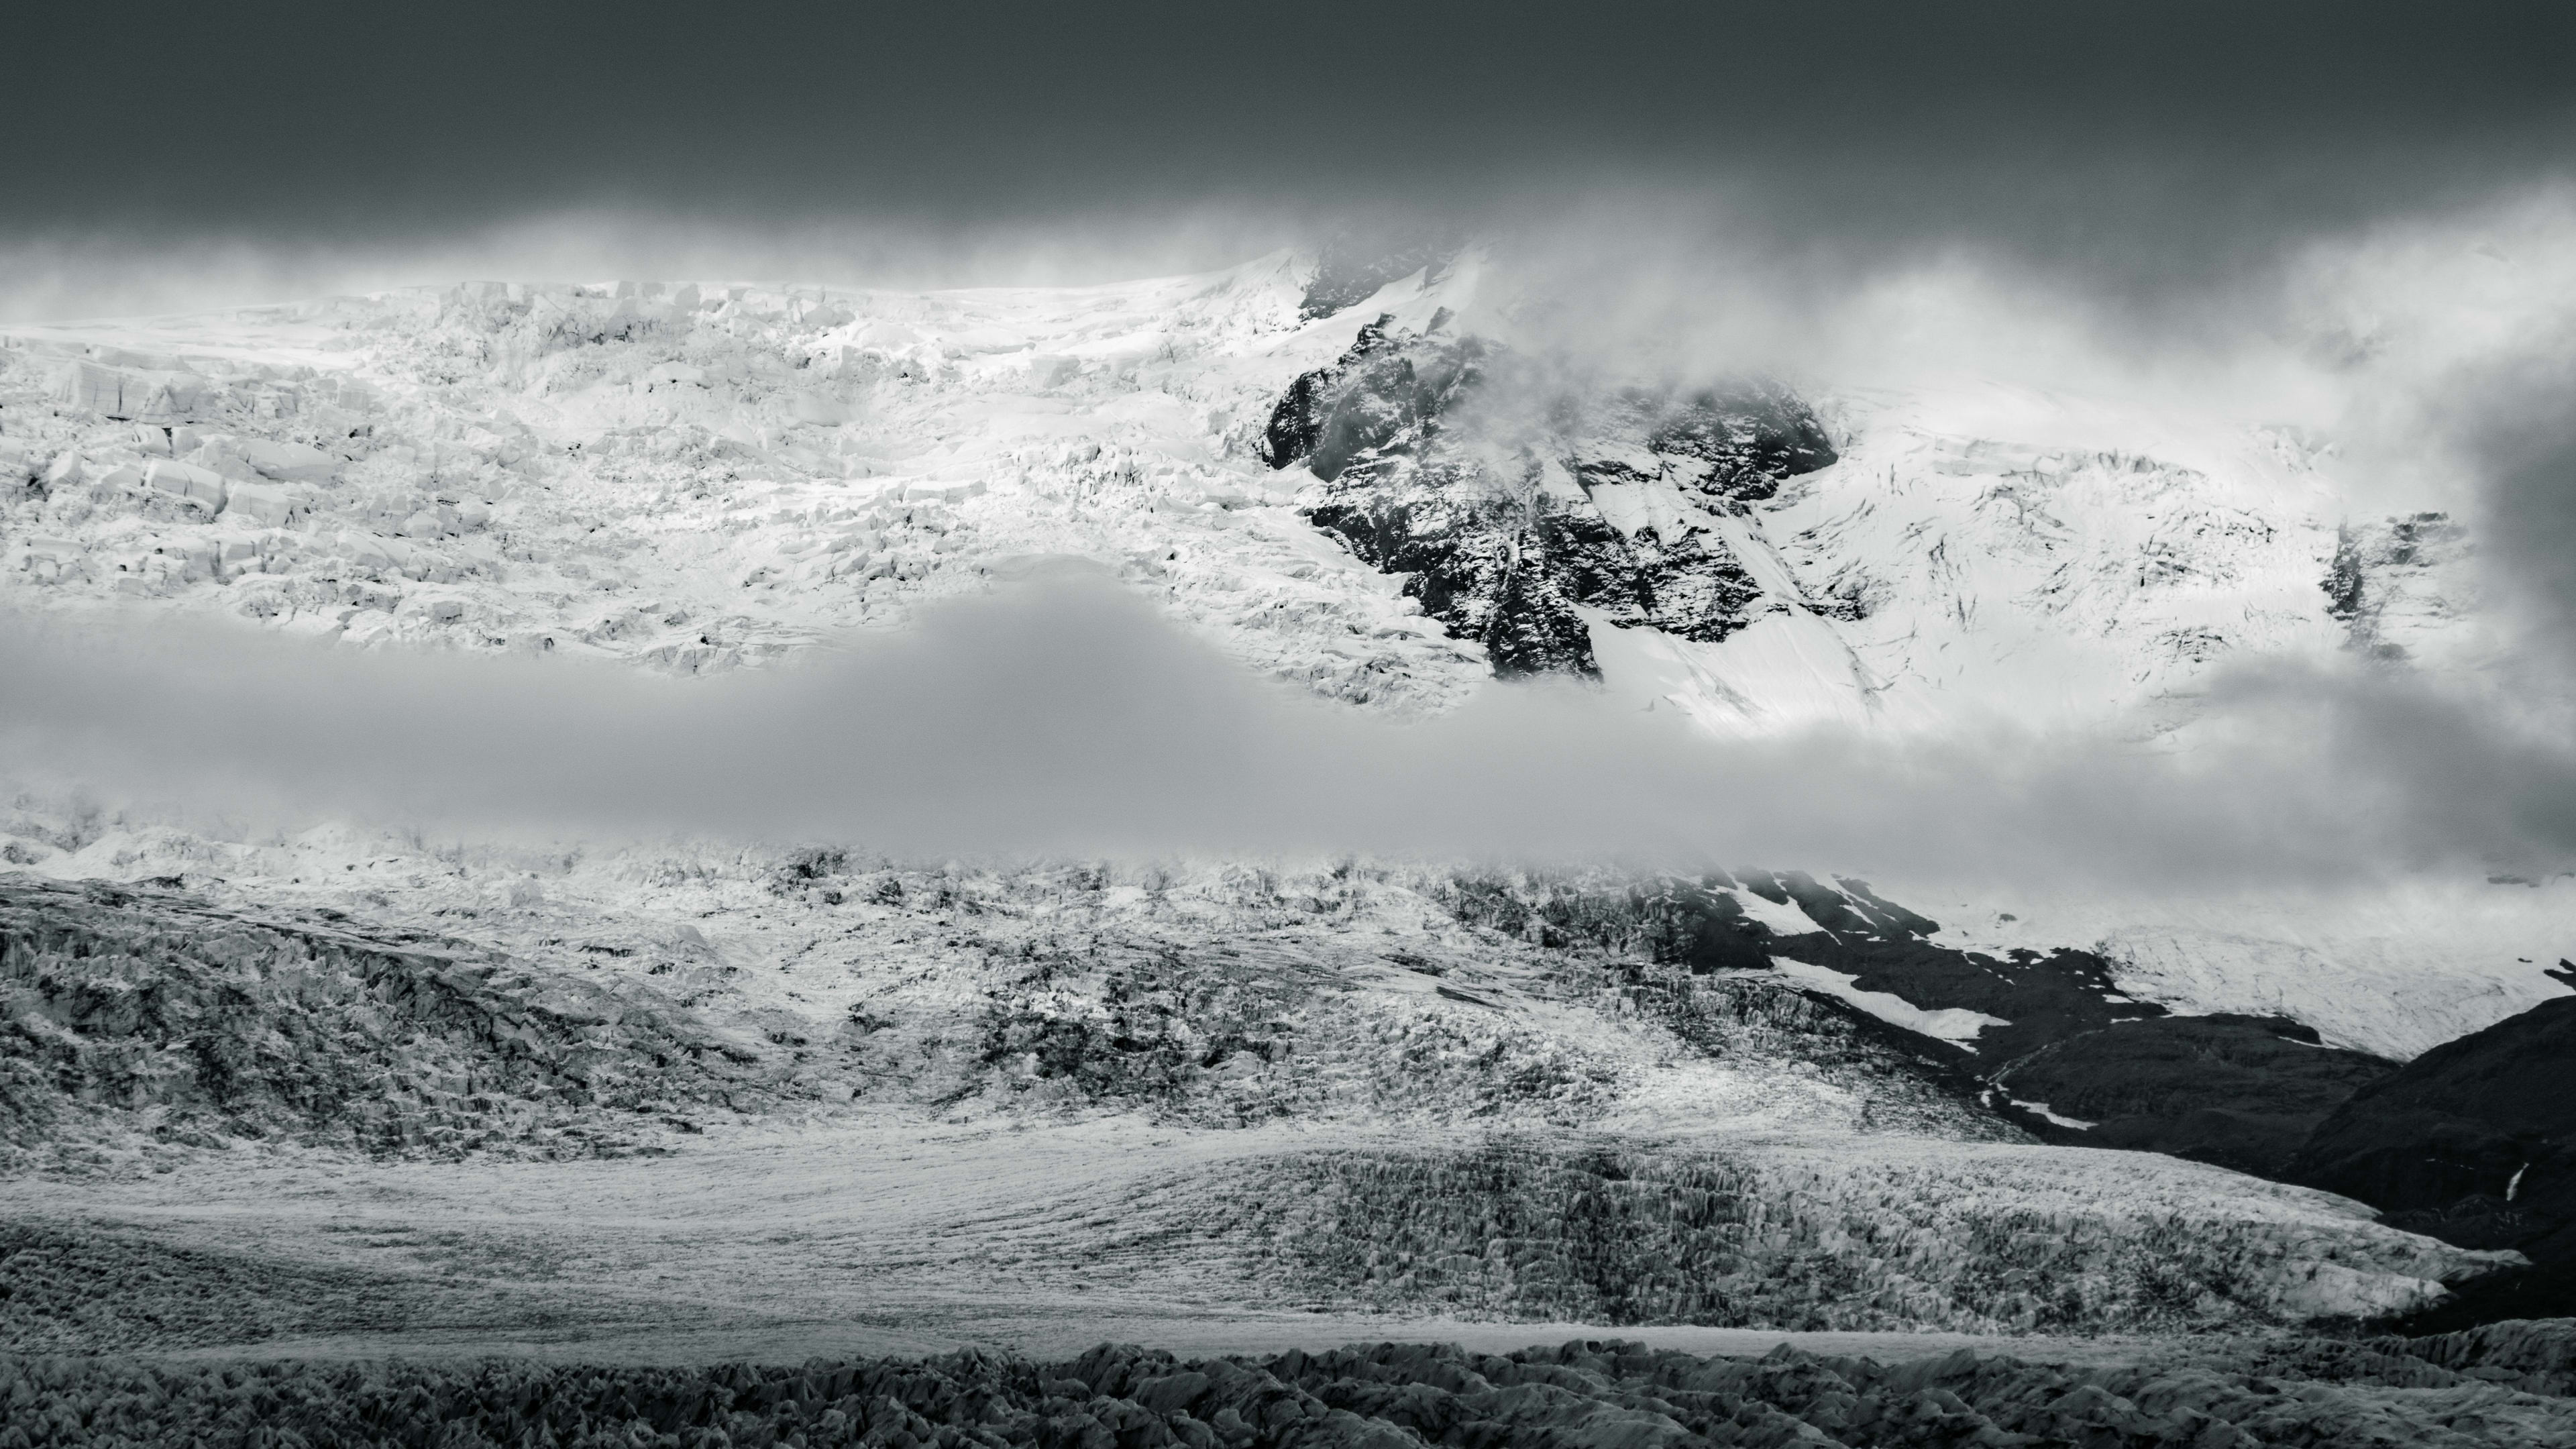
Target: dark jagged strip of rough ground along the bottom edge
column 1387, row 1396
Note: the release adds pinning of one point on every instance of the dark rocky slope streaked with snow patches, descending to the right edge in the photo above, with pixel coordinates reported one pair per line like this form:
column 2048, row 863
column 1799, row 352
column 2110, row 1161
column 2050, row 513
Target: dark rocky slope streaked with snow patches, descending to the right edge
column 2459, row 1143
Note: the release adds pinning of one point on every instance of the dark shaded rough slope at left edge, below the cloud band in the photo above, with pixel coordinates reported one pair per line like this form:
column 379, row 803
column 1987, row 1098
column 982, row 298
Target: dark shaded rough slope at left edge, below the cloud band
column 138, row 1009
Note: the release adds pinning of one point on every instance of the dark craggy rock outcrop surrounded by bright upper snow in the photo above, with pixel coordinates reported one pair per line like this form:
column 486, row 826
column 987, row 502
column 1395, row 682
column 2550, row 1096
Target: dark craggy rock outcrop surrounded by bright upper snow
column 1513, row 496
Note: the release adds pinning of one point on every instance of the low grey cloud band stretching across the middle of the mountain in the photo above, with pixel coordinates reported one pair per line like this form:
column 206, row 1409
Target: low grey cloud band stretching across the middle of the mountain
column 1068, row 718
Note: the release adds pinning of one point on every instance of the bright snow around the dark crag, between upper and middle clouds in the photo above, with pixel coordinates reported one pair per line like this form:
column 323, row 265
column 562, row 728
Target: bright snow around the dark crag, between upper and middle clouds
column 710, row 476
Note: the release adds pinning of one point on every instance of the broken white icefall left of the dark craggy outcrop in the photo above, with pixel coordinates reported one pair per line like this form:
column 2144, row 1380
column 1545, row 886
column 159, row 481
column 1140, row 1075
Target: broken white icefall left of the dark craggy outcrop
column 694, row 478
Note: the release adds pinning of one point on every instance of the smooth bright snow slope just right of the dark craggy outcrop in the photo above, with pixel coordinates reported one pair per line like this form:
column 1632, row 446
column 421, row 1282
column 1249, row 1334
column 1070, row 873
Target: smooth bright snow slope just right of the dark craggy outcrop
column 2026, row 553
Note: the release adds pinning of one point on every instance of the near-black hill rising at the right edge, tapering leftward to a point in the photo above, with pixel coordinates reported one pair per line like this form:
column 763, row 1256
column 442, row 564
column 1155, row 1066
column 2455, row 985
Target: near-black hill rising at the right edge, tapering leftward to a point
column 2474, row 1141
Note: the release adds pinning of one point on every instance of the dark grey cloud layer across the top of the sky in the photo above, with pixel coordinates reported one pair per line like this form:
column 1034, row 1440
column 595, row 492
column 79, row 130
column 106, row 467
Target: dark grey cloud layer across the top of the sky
column 2106, row 133
